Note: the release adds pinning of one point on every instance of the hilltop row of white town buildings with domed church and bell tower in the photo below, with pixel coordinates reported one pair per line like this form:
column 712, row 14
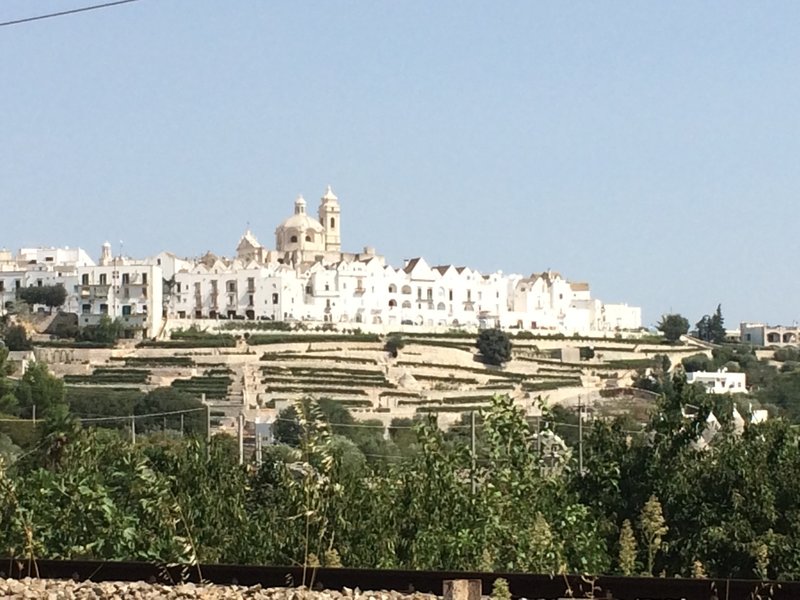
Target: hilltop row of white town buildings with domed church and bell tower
column 307, row 277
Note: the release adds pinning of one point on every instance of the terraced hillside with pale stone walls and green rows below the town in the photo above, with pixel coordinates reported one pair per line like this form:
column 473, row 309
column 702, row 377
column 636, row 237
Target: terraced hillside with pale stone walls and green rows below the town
column 431, row 373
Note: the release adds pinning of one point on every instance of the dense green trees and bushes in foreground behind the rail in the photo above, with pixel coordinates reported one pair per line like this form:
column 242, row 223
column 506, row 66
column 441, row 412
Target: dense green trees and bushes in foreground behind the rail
column 338, row 493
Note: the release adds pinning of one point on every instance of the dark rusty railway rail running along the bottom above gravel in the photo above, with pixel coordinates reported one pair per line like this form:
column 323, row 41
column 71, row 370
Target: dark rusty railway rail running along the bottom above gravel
column 539, row 587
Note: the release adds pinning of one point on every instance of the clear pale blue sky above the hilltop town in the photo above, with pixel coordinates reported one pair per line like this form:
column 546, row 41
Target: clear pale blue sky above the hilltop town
column 651, row 149
